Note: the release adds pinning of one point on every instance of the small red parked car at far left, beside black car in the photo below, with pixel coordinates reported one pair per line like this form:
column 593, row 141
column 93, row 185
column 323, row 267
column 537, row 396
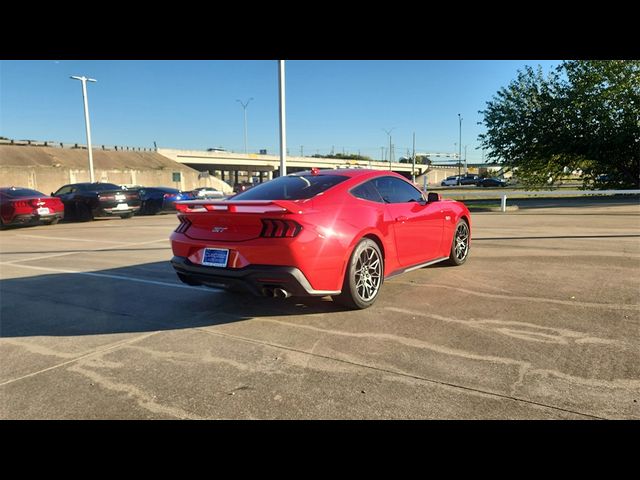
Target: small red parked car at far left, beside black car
column 23, row 205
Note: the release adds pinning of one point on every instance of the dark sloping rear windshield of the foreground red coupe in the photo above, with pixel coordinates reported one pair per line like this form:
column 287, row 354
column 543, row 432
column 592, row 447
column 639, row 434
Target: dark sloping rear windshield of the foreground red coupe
column 294, row 187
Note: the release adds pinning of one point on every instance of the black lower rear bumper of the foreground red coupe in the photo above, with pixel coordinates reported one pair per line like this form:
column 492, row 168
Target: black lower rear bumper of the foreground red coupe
column 254, row 278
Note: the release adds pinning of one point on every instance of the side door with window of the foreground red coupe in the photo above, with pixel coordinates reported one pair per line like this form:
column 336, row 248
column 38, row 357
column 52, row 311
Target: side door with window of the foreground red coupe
column 417, row 224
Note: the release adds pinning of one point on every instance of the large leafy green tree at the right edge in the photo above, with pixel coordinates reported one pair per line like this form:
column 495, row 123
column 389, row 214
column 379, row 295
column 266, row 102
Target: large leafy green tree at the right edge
column 583, row 116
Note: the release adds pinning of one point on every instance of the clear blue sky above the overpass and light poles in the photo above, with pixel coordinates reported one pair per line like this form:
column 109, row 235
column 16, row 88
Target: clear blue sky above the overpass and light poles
column 192, row 104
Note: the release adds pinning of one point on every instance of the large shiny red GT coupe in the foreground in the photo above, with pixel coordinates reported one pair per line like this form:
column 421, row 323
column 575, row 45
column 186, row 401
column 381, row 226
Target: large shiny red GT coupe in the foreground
column 319, row 232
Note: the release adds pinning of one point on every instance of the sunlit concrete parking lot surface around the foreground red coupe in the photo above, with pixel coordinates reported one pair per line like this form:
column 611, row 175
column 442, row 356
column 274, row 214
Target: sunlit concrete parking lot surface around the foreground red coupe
column 542, row 322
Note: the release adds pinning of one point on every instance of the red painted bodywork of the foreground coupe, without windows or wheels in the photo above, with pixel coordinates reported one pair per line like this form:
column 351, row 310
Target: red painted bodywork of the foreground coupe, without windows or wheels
column 332, row 224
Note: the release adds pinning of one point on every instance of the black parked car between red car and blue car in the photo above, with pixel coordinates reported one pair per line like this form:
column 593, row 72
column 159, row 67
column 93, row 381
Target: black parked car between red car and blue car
column 84, row 201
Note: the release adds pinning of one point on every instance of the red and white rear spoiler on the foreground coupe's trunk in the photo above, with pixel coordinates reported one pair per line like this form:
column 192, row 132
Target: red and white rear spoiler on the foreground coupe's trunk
column 239, row 206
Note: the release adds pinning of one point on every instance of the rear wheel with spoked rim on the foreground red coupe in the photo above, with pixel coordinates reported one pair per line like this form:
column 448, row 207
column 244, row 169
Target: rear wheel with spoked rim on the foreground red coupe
column 364, row 276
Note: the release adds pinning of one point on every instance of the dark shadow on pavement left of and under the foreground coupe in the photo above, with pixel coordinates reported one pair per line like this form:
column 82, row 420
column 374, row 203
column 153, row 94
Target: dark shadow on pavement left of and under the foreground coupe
column 138, row 298
